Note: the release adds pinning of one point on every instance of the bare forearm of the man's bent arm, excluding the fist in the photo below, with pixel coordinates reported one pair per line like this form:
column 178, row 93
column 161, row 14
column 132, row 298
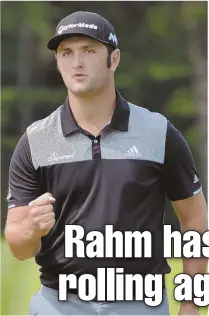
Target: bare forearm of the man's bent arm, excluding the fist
column 22, row 242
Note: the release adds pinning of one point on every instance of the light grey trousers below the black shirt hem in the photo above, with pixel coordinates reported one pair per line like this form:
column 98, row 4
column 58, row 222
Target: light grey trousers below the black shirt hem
column 45, row 302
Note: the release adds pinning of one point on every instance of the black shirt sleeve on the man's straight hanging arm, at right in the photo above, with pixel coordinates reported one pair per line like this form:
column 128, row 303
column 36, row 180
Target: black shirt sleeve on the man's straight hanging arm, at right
column 180, row 177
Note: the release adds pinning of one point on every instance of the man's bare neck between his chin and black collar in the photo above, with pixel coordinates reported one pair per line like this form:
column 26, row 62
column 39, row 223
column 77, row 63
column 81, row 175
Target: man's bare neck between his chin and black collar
column 93, row 113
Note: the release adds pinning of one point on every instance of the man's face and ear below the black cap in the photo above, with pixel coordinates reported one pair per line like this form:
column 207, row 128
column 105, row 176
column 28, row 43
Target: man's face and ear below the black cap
column 82, row 63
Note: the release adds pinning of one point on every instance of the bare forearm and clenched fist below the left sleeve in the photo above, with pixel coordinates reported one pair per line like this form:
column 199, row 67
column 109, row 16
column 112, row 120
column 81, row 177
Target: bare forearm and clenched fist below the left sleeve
column 26, row 225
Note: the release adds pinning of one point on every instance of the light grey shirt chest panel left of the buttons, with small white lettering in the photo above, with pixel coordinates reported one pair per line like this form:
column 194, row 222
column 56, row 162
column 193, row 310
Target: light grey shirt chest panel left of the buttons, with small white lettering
column 49, row 146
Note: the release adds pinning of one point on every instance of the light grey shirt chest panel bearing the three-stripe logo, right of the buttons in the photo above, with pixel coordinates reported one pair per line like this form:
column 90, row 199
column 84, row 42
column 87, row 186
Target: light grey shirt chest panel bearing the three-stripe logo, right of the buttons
column 144, row 140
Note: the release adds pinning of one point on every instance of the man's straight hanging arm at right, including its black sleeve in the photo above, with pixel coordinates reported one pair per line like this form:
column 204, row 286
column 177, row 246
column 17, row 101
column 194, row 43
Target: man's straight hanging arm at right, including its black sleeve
column 182, row 187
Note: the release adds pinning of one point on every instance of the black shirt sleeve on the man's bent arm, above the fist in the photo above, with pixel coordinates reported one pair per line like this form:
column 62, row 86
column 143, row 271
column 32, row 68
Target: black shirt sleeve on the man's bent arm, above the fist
column 23, row 183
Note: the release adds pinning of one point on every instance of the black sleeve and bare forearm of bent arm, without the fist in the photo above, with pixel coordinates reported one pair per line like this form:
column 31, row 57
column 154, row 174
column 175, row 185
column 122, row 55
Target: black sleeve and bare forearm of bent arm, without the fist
column 23, row 188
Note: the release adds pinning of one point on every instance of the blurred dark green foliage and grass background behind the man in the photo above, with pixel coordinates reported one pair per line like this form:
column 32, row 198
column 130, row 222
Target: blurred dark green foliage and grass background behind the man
column 163, row 68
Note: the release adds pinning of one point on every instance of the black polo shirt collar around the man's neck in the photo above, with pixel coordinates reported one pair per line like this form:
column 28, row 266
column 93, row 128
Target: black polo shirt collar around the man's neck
column 119, row 121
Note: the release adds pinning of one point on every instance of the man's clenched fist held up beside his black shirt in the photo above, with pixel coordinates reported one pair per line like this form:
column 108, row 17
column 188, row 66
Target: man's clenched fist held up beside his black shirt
column 41, row 217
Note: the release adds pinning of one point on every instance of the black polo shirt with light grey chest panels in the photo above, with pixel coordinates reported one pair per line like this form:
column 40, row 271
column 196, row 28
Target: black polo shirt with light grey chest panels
column 121, row 178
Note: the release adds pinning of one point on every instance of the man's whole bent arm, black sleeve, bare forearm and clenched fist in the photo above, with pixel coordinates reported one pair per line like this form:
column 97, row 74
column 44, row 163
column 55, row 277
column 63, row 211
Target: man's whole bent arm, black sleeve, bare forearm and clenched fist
column 30, row 215
